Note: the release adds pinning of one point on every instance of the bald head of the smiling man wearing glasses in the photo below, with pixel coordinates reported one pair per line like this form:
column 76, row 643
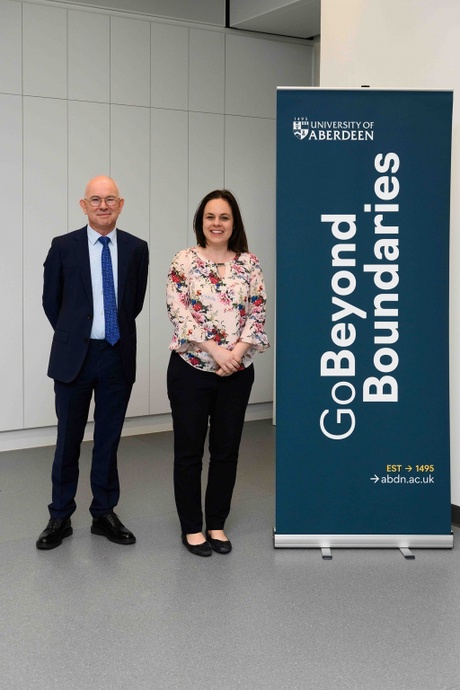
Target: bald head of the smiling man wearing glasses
column 106, row 207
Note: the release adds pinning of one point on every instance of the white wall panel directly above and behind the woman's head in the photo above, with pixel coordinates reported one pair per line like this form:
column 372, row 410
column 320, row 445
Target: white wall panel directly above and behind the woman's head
column 206, row 161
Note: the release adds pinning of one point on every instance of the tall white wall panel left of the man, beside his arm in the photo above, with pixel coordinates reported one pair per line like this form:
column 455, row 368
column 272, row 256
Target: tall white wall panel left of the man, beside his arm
column 45, row 216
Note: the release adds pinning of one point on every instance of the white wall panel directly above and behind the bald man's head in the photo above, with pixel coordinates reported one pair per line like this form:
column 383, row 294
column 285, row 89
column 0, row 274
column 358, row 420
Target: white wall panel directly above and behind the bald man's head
column 89, row 153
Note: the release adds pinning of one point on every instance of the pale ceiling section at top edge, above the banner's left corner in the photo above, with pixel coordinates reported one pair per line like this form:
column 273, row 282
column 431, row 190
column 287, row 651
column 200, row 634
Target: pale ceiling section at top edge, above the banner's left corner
column 298, row 18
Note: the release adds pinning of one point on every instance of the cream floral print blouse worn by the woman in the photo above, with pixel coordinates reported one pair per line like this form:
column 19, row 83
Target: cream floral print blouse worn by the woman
column 202, row 305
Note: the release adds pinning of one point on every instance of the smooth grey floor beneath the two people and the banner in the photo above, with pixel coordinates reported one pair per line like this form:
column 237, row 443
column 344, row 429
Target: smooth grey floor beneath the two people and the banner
column 94, row 615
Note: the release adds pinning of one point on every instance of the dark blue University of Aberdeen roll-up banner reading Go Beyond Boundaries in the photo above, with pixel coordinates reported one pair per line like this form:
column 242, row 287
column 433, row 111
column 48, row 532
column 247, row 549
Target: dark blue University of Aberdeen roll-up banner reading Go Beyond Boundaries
column 362, row 397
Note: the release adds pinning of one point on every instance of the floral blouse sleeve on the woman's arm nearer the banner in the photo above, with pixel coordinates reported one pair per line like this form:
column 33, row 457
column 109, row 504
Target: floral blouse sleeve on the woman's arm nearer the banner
column 253, row 330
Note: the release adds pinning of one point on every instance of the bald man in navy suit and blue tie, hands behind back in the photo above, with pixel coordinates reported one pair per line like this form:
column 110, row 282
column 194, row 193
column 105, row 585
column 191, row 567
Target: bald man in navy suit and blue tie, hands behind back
column 83, row 362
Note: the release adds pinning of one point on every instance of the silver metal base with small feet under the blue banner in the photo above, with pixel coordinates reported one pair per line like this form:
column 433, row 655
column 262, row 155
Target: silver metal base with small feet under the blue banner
column 326, row 542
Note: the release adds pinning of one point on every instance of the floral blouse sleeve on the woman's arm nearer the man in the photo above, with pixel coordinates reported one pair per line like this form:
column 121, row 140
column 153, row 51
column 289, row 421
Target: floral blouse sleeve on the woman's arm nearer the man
column 186, row 327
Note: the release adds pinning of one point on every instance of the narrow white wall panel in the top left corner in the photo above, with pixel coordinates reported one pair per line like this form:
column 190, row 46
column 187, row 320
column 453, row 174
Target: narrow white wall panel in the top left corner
column 10, row 47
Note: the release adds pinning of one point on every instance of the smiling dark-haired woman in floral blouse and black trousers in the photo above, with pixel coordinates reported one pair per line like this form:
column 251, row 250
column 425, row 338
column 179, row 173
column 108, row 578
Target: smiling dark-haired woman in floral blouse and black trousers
column 216, row 302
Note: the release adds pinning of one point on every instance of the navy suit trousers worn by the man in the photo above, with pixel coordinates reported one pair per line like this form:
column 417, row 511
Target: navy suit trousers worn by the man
column 102, row 373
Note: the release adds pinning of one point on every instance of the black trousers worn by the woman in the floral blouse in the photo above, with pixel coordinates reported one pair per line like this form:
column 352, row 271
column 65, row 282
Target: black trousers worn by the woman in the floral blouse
column 198, row 398
